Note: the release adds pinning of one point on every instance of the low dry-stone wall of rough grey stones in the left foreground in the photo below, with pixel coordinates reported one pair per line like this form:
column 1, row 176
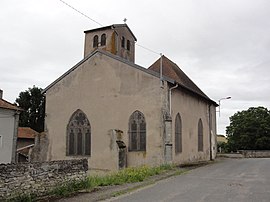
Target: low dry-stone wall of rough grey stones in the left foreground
column 40, row 177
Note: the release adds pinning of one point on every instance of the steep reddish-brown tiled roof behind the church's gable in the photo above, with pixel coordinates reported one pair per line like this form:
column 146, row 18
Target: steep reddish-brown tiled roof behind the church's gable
column 171, row 70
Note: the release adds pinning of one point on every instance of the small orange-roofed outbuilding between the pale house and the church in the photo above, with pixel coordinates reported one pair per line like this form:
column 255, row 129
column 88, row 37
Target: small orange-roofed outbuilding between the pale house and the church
column 25, row 142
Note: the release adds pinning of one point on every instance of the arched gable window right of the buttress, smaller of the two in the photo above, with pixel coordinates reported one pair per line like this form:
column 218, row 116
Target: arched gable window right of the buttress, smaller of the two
column 137, row 132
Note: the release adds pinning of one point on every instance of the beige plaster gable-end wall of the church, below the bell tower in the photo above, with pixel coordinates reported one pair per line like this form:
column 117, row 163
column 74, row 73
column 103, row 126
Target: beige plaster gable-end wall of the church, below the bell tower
column 108, row 92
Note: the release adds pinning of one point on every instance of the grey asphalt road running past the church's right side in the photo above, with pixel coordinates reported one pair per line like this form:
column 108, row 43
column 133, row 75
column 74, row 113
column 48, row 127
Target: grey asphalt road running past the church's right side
column 237, row 180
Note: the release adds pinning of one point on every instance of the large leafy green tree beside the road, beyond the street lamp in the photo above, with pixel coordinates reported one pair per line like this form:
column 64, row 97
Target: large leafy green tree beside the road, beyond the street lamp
column 249, row 130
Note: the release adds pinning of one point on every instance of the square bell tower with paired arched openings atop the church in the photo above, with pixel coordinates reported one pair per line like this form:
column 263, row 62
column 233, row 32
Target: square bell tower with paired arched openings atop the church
column 117, row 39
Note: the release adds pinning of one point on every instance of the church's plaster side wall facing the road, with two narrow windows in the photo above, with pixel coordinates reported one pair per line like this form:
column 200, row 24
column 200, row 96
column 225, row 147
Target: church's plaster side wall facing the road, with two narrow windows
column 191, row 109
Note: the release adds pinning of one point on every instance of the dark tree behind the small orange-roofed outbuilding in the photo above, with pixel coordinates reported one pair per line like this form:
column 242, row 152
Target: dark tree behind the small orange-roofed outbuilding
column 32, row 101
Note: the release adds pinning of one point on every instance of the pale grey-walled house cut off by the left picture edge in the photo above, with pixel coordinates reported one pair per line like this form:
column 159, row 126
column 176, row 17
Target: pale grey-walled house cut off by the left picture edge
column 9, row 119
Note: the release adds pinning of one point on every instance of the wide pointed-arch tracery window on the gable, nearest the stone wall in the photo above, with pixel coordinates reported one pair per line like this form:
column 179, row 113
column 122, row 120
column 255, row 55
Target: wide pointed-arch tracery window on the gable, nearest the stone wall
column 78, row 135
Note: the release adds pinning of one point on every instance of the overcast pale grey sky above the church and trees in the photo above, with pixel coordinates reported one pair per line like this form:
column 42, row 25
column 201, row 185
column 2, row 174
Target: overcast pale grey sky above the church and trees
column 223, row 46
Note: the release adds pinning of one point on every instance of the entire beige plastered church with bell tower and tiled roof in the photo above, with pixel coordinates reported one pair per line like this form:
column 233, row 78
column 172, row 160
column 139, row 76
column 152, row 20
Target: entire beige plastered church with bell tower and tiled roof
column 116, row 113
